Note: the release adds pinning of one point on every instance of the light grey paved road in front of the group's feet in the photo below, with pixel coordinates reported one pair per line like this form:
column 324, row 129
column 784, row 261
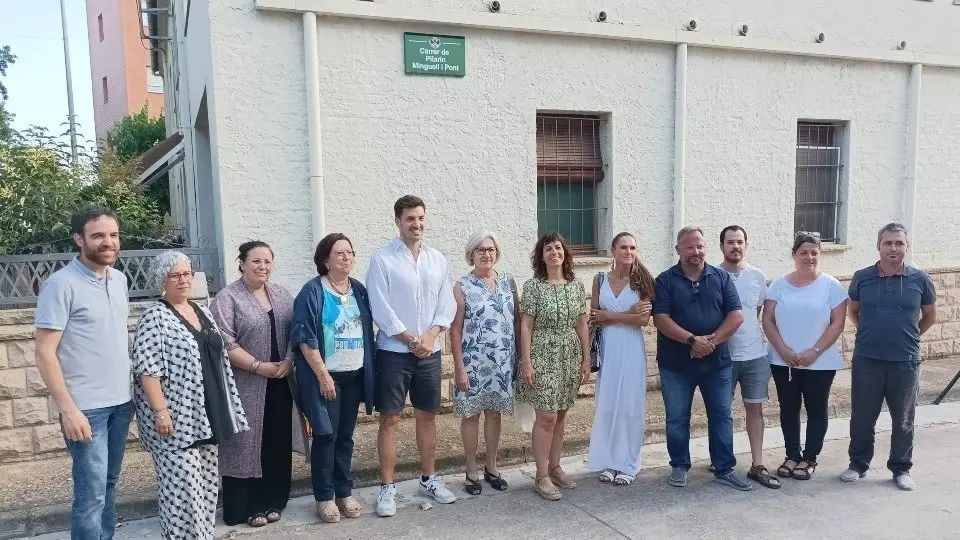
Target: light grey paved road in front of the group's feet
column 823, row 507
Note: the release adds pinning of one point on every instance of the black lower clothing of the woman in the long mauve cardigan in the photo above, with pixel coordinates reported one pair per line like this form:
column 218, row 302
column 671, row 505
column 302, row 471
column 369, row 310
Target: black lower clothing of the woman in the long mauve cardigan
column 244, row 498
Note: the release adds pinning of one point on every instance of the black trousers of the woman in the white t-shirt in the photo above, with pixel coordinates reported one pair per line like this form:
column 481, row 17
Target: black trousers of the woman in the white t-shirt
column 809, row 388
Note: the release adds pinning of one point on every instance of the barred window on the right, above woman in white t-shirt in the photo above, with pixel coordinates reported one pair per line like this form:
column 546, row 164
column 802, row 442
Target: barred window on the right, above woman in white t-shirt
column 819, row 166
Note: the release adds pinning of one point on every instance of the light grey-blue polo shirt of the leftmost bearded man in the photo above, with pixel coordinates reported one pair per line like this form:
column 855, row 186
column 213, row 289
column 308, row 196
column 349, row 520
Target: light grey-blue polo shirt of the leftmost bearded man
column 91, row 311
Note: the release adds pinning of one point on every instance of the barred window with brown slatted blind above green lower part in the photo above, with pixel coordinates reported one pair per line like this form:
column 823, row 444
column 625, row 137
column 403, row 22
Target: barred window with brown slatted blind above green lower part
column 569, row 167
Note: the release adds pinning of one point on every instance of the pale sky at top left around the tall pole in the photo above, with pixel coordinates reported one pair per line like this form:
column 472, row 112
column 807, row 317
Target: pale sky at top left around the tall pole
column 37, row 82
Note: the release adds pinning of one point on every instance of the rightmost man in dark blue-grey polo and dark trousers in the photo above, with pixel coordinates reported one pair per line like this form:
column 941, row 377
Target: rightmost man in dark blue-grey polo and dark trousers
column 892, row 305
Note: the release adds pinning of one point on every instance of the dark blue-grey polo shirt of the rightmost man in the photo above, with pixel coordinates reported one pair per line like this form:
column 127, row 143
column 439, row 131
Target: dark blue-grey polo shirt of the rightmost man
column 888, row 327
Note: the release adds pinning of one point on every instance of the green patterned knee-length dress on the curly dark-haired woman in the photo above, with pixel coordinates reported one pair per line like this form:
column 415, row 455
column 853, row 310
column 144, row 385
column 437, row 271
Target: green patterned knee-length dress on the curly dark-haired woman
column 555, row 348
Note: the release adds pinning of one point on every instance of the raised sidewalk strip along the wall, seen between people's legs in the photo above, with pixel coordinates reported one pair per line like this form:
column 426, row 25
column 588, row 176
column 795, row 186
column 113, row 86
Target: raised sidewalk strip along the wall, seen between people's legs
column 35, row 496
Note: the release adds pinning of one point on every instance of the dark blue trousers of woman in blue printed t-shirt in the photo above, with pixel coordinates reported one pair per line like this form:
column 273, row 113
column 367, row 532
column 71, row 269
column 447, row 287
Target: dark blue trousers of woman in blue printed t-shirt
column 331, row 455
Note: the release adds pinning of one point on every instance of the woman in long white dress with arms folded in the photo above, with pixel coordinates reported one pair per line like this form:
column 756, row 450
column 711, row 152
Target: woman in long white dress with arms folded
column 620, row 305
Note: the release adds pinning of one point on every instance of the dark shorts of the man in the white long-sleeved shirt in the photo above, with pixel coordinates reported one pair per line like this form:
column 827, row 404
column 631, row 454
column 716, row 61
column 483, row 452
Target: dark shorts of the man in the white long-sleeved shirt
column 401, row 373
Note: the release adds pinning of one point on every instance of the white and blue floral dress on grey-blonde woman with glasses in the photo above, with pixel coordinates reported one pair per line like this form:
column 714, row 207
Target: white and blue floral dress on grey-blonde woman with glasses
column 489, row 347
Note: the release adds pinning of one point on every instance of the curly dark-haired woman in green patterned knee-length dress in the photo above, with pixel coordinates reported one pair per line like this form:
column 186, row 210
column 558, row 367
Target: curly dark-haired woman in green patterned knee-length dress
column 555, row 355
